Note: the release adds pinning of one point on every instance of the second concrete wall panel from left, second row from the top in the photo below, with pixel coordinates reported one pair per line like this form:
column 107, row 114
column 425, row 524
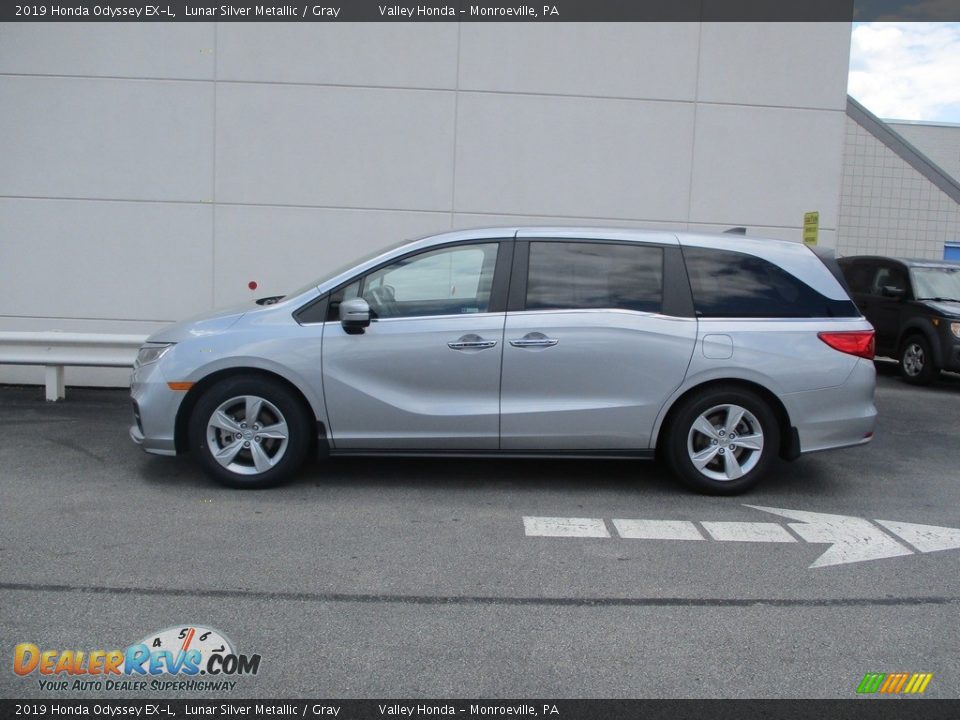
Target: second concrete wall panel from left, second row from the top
column 323, row 146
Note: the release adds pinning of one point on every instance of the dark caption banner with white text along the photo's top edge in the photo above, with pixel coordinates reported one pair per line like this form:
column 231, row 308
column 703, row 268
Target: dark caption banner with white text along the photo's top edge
column 478, row 10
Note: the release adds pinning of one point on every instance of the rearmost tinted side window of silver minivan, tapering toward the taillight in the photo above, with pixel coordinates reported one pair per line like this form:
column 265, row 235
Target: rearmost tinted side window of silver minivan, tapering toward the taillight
column 732, row 284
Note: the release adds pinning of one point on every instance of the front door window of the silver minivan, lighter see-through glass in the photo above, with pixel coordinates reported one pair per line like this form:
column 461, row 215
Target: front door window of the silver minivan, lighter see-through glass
column 448, row 281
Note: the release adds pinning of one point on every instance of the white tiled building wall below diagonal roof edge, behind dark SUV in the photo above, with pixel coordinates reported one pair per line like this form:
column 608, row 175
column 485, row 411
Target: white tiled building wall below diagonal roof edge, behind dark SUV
column 889, row 208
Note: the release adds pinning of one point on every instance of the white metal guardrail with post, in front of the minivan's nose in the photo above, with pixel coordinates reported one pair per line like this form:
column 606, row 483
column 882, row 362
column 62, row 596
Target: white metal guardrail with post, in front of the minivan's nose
column 57, row 350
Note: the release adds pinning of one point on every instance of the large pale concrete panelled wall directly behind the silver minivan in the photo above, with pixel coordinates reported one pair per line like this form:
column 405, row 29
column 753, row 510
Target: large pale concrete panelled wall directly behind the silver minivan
column 150, row 171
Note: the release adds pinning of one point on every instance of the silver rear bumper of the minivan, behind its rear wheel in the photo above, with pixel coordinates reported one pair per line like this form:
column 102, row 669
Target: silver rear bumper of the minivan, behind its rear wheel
column 836, row 417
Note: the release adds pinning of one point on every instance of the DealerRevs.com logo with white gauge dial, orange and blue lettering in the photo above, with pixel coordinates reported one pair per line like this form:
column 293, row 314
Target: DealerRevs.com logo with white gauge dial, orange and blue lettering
column 189, row 658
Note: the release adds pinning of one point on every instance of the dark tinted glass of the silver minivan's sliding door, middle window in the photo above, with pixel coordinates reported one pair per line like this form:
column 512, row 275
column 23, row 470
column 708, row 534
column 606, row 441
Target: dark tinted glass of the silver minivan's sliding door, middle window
column 572, row 275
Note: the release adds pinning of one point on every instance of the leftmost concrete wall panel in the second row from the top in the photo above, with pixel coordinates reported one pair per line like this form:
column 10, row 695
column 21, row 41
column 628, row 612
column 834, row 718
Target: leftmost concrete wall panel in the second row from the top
column 106, row 139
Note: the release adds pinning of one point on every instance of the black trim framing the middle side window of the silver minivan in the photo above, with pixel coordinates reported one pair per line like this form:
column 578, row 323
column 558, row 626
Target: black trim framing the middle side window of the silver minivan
column 676, row 300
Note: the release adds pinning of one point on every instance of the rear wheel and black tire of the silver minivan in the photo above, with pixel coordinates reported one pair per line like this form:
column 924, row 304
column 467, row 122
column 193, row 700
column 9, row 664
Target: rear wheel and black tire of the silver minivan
column 758, row 425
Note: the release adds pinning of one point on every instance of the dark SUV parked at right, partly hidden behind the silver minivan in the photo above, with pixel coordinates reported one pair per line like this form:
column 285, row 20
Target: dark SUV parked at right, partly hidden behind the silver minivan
column 914, row 305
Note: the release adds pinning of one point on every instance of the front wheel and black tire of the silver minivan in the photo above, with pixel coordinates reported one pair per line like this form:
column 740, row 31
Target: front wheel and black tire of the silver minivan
column 279, row 459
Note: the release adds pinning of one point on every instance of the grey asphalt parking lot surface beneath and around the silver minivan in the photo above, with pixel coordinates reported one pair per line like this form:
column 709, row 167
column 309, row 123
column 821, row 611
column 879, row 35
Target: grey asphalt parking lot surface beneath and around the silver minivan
column 416, row 578
